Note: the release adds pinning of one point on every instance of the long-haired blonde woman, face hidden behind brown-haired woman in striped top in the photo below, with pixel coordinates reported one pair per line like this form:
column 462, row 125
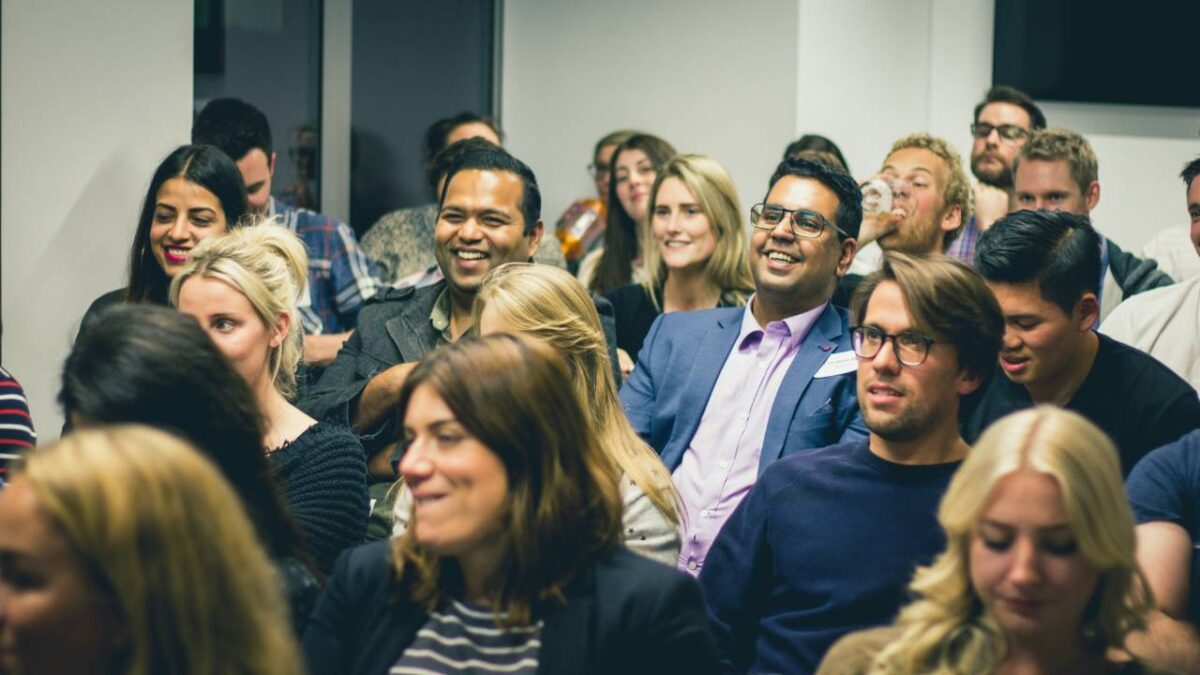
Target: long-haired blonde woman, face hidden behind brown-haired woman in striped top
column 550, row 304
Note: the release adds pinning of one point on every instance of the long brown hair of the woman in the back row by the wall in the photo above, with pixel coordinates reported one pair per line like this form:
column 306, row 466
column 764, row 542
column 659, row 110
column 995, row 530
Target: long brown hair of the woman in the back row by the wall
column 622, row 236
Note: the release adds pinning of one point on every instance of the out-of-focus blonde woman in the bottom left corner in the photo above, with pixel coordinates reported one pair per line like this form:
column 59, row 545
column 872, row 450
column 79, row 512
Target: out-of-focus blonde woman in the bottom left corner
column 123, row 552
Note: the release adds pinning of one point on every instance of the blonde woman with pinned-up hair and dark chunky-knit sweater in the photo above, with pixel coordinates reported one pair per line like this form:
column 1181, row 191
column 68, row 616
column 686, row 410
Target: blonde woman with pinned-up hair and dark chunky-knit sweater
column 243, row 289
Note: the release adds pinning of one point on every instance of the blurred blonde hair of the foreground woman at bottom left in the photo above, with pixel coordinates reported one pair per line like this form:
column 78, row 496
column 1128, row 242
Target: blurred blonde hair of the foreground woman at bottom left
column 172, row 548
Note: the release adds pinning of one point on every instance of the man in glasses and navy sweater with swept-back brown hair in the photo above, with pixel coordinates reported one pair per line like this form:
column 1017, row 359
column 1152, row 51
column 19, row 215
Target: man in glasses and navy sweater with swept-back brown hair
column 829, row 540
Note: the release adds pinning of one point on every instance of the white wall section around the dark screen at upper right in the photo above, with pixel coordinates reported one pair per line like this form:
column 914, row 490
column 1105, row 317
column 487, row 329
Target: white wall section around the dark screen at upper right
column 873, row 71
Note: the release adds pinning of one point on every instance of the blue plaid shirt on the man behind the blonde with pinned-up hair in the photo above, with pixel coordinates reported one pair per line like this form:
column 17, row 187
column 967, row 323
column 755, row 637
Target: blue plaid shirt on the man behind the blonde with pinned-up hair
column 341, row 278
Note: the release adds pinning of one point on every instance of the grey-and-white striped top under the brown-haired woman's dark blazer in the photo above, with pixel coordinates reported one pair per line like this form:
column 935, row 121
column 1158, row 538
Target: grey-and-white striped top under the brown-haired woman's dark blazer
column 463, row 638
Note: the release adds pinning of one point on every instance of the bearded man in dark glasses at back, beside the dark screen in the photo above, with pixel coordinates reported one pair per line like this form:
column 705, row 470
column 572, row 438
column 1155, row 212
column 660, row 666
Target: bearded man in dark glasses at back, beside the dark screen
column 1004, row 121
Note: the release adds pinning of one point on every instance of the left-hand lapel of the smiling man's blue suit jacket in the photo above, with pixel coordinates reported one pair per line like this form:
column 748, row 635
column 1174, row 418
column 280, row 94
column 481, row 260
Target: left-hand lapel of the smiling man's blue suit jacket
column 706, row 367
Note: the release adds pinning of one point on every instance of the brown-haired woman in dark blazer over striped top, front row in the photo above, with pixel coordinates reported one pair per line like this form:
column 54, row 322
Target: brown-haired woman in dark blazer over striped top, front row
column 513, row 558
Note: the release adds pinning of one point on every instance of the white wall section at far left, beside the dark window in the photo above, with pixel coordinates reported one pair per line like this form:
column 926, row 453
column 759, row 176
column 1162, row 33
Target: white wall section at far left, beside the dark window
column 94, row 95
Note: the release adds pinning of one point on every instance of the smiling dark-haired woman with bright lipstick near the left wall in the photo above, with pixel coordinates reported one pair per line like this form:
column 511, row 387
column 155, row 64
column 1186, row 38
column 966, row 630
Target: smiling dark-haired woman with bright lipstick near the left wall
column 196, row 193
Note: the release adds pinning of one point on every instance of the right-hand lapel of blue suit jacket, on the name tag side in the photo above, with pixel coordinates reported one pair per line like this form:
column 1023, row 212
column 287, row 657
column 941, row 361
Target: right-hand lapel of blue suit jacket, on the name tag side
column 815, row 350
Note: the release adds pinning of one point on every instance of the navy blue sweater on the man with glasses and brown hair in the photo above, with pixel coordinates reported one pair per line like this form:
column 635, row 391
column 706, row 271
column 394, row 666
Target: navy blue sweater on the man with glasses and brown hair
column 825, row 543
